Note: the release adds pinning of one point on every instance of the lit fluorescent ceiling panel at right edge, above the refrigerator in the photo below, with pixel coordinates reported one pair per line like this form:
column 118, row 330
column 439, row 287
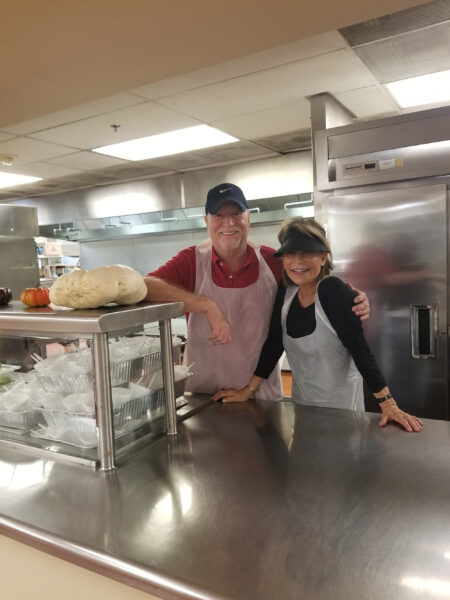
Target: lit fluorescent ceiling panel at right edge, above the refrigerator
column 425, row 89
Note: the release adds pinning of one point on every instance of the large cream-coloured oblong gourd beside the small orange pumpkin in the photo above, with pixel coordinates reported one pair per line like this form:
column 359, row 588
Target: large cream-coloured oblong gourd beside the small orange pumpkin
column 91, row 289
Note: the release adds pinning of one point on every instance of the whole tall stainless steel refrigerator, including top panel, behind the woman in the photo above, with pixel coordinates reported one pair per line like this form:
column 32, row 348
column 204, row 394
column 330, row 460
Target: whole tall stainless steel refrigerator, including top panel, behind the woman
column 388, row 224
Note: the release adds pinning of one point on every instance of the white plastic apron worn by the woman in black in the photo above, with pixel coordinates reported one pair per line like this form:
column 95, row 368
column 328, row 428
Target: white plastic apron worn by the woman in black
column 323, row 371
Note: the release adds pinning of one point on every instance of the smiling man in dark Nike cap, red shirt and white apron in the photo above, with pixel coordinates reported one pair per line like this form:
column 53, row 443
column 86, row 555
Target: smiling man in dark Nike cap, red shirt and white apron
column 228, row 286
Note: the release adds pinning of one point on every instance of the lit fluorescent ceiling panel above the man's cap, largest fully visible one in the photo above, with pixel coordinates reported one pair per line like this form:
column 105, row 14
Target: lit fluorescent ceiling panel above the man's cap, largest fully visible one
column 171, row 142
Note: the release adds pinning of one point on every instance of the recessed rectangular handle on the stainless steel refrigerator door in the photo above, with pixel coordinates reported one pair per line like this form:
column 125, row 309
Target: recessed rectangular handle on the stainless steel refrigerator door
column 424, row 330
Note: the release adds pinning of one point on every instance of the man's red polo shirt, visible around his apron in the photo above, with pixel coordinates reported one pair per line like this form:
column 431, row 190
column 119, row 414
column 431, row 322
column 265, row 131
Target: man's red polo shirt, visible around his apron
column 180, row 270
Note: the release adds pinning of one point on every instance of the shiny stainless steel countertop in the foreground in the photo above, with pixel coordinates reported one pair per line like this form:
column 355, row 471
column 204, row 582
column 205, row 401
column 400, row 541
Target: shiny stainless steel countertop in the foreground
column 252, row 502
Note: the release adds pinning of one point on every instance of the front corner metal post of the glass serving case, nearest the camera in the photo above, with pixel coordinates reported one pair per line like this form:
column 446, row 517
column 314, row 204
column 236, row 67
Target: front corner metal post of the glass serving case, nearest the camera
column 103, row 402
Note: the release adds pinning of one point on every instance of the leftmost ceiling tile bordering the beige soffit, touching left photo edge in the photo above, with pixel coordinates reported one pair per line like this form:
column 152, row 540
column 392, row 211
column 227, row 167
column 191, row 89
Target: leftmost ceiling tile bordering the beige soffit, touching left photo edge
column 76, row 113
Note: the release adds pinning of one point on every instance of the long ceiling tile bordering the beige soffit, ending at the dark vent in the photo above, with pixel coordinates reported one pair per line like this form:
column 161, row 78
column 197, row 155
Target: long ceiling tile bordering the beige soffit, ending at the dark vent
column 286, row 53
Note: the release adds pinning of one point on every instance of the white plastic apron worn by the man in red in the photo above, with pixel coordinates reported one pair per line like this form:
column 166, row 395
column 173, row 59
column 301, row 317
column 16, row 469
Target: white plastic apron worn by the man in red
column 248, row 311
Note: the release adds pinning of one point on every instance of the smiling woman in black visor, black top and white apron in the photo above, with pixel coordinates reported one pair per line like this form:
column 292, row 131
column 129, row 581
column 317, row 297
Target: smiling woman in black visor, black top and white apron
column 324, row 341
